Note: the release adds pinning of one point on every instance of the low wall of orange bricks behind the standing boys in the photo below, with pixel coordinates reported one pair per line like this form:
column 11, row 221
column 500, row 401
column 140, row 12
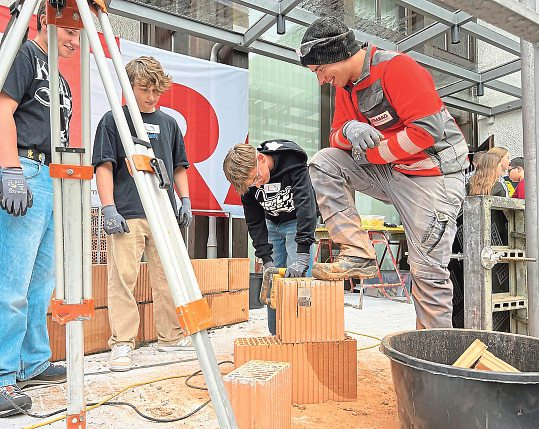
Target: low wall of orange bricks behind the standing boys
column 223, row 282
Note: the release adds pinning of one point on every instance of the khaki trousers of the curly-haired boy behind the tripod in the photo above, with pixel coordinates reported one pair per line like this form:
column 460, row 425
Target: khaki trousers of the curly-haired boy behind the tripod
column 124, row 253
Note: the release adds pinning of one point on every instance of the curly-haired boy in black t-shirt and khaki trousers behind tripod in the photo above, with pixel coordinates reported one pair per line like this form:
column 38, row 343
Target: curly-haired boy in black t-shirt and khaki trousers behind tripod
column 125, row 221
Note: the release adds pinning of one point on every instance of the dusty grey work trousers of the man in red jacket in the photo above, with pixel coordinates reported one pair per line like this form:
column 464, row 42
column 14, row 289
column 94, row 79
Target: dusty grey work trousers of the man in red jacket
column 428, row 207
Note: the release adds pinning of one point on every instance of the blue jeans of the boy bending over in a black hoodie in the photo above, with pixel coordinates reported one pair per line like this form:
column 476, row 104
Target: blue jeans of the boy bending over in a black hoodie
column 282, row 237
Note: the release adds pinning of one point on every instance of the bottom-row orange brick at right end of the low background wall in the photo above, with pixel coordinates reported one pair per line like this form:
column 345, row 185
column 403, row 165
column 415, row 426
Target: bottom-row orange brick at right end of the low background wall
column 229, row 307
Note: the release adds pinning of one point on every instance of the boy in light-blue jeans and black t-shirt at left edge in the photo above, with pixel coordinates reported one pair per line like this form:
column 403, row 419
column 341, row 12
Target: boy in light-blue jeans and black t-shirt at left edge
column 26, row 218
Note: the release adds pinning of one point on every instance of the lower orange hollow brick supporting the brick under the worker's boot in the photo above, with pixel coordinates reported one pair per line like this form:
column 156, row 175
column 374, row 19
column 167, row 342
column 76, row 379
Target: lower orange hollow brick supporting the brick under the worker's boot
column 321, row 372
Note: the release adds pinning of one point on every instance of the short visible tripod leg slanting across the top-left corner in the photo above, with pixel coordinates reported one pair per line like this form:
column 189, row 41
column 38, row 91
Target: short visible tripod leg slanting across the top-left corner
column 12, row 42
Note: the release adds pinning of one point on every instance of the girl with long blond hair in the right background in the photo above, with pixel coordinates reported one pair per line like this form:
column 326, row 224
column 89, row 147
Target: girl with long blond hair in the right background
column 486, row 181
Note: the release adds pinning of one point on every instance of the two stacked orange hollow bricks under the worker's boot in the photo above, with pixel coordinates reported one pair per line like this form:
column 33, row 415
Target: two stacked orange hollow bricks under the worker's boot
column 310, row 337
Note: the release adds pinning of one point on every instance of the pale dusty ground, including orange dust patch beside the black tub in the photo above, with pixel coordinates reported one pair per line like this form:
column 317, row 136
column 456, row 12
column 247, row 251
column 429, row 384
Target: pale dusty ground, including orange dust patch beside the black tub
column 375, row 407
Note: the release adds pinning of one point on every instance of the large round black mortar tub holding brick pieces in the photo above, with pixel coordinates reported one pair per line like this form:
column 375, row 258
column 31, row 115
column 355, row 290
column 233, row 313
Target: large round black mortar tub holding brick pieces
column 432, row 394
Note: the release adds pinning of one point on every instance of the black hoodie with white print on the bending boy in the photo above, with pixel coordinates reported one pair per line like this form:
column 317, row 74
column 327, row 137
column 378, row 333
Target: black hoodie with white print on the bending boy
column 288, row 195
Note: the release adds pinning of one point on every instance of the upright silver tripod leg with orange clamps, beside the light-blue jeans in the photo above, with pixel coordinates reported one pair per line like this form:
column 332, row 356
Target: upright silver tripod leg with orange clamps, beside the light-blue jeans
column 71, row 172
